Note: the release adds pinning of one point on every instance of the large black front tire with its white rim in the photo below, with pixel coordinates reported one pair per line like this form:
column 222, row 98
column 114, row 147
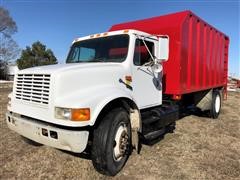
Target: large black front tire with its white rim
column 114, row 130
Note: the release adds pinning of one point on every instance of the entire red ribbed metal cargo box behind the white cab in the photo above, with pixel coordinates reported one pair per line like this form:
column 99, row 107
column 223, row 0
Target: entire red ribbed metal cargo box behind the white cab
column 198, row 54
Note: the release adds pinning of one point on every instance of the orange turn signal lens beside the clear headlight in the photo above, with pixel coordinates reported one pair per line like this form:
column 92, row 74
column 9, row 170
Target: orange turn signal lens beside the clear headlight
column 80, row 114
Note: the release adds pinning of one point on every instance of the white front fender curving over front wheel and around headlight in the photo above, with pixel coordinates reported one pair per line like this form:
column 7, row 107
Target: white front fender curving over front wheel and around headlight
column 95, row 99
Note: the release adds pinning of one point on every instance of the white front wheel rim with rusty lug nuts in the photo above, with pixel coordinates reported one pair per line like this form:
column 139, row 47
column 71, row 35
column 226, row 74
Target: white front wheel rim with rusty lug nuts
column 120, row 143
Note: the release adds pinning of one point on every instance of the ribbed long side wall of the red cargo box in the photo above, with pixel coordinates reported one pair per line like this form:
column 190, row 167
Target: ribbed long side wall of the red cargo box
column 201, row 58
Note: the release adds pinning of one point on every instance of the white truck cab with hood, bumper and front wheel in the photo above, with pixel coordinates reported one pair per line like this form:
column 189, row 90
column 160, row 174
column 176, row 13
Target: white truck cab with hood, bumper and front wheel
column 95, row 99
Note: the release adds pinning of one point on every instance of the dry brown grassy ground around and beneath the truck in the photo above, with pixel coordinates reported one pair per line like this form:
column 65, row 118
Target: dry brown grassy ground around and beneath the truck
column 200, row 148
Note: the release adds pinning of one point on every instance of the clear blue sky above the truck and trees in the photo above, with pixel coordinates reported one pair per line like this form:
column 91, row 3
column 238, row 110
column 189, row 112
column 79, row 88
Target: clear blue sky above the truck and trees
column 57, row 22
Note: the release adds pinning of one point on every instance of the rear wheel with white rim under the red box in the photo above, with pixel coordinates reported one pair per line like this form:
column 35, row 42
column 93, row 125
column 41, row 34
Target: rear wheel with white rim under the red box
column 215, row 105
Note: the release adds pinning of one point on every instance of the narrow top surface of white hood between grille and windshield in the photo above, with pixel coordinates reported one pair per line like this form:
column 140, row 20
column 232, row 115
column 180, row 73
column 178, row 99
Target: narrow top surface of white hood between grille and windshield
column 58, row 68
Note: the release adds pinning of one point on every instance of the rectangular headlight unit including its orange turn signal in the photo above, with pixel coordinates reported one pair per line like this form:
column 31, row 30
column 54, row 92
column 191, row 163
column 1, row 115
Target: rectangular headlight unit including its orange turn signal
column 82, row 114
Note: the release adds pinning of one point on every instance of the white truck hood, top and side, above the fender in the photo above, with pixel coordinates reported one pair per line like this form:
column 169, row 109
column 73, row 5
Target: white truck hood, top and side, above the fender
column 73, row 78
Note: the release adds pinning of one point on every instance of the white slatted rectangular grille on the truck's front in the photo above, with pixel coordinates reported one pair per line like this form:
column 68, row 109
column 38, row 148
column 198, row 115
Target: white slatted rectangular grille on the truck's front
column 33, row 87
